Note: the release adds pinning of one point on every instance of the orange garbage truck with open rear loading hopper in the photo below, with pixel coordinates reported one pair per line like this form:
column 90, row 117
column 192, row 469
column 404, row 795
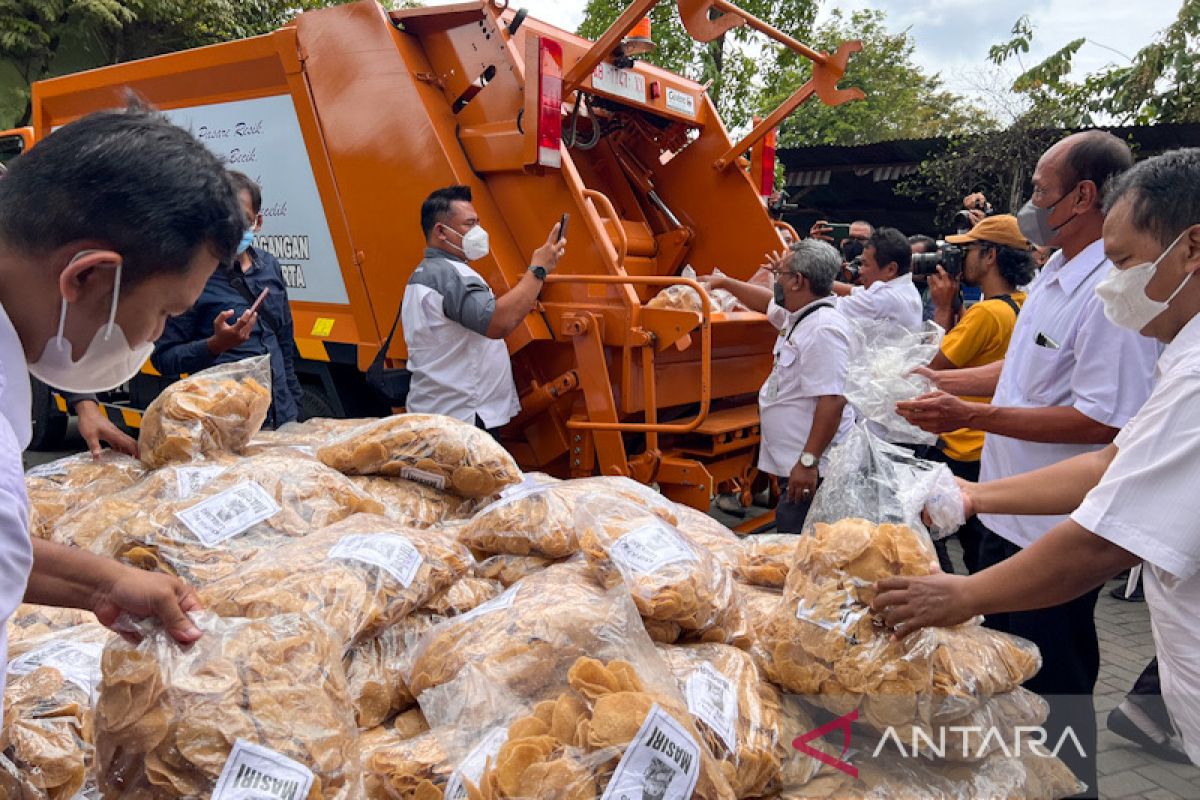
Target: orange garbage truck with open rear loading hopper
column 350, row 116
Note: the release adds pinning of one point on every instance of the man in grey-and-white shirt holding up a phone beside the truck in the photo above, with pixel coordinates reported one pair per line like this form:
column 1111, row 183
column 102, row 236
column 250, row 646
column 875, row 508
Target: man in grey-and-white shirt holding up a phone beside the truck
column 454, row 323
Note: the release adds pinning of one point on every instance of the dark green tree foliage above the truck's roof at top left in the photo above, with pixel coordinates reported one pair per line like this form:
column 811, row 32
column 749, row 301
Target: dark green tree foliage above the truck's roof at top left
column 34, row 34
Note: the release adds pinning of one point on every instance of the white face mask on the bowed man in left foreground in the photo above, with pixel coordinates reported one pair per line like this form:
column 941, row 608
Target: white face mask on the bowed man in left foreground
column 109, row 363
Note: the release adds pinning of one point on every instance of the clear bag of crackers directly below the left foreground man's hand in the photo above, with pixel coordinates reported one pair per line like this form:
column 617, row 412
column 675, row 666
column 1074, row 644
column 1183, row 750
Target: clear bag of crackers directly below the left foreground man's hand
column 253, row 703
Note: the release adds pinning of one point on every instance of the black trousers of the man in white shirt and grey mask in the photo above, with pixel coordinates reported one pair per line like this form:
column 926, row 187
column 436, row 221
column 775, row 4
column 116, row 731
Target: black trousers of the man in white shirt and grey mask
column 1071, row 664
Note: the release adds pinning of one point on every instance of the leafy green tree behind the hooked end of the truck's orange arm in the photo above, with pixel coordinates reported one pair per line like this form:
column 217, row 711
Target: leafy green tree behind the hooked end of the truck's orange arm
column 902, row 101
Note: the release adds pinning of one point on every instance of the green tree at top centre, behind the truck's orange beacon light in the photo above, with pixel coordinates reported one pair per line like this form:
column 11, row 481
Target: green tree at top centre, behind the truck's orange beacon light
column 733, row 63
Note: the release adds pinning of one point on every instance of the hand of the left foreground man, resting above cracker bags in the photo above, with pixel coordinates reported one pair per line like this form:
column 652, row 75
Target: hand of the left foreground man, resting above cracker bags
column 143, row 594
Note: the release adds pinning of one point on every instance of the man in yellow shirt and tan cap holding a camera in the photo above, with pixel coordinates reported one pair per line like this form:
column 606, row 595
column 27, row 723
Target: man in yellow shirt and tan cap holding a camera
column 998, row 260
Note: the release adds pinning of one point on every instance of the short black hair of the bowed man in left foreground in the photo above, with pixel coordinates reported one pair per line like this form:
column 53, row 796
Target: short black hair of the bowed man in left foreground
column 129, row 178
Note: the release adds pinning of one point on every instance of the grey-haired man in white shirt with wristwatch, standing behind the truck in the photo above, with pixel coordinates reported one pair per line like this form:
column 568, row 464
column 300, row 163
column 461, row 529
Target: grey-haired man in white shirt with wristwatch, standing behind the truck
column 802, row 406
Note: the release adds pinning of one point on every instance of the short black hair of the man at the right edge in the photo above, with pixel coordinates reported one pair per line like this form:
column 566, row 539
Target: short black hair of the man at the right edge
column 1165, row 193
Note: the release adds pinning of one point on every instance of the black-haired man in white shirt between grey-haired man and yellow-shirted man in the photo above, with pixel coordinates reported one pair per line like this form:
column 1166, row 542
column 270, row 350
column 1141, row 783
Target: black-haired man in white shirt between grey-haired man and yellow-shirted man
column 886, row 291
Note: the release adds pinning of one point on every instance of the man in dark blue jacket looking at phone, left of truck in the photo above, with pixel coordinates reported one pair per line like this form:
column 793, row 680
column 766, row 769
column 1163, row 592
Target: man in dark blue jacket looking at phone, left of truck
column 220, row 329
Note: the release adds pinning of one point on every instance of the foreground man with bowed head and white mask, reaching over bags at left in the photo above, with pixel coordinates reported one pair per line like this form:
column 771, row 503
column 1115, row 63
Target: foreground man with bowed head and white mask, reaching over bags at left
column 107, row 227
